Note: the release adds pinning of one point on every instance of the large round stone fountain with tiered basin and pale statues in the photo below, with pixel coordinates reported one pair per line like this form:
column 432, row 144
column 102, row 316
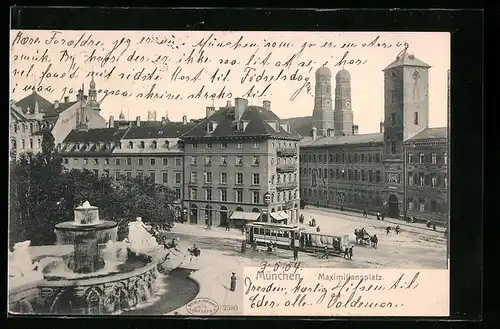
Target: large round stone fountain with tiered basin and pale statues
column 99, row 276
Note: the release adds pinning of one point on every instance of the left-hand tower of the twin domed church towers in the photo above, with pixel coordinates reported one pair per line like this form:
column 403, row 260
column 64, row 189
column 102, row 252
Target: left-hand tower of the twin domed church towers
column 323, row 112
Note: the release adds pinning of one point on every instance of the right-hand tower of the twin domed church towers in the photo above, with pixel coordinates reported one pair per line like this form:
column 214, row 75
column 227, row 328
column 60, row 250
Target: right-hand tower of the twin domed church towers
column 343, row 115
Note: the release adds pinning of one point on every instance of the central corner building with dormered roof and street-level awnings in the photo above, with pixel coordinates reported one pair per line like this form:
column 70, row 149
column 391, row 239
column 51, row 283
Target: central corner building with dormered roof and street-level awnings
column 241, row 164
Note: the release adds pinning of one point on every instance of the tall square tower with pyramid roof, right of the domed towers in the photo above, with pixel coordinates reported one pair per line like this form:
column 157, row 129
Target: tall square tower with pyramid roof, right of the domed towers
column 406, row 113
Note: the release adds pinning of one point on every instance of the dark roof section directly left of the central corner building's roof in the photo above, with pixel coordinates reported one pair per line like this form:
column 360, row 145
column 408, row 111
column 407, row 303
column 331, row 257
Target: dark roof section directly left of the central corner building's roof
column 166, row 130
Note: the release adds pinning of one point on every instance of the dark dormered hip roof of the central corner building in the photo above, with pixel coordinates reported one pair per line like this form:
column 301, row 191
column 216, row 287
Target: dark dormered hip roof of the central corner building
column 256, row 116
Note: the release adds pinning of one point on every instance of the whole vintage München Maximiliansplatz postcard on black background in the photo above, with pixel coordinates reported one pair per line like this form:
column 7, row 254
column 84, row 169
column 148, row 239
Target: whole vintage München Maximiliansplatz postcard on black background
column 214, row 173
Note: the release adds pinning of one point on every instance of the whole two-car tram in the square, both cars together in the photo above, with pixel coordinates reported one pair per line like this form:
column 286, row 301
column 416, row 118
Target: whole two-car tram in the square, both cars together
column 290, row 236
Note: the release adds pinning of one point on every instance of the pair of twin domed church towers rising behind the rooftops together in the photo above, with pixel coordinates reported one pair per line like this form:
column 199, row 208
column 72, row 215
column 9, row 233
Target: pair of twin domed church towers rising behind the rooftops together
column 329, row 119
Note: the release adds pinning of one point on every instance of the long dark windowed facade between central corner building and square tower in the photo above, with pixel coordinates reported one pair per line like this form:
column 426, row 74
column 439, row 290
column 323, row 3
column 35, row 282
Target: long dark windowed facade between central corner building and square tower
column 323, row 183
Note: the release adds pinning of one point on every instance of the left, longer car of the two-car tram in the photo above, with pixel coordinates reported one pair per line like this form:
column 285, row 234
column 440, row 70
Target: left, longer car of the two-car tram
column 284, row 236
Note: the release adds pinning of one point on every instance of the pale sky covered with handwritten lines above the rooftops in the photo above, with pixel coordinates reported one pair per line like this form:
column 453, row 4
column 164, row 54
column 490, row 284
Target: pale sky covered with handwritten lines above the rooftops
column 168, row 60
